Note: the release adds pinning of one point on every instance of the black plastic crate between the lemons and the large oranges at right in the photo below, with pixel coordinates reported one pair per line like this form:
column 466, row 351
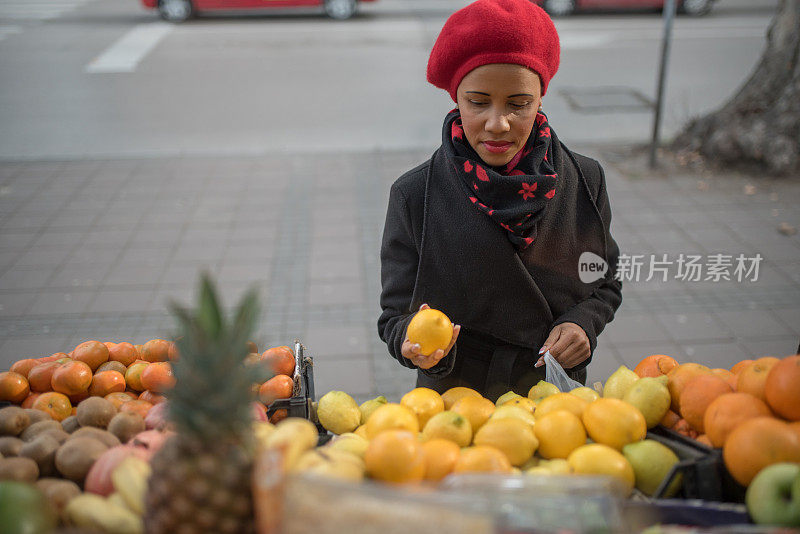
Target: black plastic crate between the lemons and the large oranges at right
column 705, row 476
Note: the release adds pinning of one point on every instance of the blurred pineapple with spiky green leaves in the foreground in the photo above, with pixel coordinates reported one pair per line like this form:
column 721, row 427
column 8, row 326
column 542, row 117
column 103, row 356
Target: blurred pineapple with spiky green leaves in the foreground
column 201, row 477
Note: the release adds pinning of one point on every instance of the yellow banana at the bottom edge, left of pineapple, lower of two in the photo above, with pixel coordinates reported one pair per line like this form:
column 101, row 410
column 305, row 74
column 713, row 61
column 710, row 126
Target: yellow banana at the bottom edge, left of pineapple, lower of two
column 92, row 511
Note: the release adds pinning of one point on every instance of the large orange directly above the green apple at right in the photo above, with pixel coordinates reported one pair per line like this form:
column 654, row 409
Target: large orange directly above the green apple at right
column 757, row 443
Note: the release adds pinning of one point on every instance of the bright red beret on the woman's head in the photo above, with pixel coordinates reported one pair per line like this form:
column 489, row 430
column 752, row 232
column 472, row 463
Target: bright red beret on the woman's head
column 494, row 31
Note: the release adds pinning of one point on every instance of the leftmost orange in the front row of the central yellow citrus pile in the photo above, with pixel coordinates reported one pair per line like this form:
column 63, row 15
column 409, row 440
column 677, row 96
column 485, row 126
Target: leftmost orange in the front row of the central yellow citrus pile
column 395, row 456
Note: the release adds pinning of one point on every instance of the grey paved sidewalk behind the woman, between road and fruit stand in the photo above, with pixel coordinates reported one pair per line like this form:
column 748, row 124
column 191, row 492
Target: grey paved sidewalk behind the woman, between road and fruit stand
column 95, row 249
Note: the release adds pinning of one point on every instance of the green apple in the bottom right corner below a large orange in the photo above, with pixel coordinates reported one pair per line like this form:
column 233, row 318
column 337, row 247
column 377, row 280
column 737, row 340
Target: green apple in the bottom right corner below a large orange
column 773, row 497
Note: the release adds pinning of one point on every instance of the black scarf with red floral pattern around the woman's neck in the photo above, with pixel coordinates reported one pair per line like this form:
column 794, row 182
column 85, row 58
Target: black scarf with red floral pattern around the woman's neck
column 514, row 195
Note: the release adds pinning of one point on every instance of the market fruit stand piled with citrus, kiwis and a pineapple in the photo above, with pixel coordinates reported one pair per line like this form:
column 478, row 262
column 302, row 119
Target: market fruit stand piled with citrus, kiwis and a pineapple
column 111, row 436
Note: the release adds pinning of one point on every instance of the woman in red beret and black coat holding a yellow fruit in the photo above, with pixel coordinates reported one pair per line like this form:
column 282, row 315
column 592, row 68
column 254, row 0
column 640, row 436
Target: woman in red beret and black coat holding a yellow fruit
column 491, row 229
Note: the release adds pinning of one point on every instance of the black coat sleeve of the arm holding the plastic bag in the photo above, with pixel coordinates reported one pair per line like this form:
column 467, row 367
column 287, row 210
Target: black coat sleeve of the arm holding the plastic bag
column 597, row 310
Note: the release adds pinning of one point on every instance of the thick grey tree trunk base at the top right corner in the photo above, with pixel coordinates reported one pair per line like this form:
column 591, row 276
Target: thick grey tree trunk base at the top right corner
column 760, row 126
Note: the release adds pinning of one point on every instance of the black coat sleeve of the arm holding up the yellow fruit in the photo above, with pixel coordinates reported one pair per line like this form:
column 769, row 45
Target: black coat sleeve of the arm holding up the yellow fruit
column 399, row 262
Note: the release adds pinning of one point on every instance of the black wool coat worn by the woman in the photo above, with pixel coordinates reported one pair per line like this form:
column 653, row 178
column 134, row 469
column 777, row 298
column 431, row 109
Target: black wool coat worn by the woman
column 439, row 249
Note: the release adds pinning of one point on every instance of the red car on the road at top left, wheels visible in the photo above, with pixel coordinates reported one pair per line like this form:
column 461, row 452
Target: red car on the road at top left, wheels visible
column 180, row 10
